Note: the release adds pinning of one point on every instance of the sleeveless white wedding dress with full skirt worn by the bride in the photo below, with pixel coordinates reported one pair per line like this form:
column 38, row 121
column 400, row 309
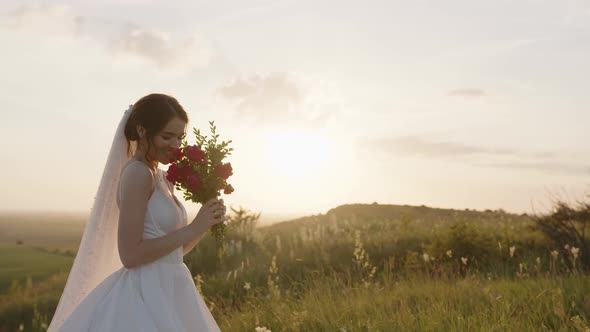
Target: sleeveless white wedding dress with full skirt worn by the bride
column 159, row 296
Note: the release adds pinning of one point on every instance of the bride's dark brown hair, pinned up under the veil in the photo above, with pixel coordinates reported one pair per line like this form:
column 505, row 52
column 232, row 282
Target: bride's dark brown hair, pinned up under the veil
column 152, row 112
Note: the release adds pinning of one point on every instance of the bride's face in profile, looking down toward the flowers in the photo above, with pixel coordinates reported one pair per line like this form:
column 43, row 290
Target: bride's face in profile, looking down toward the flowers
column 169, row 137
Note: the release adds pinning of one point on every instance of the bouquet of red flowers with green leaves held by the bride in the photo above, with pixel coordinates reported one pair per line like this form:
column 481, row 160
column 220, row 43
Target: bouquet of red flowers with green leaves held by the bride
column 200, row 173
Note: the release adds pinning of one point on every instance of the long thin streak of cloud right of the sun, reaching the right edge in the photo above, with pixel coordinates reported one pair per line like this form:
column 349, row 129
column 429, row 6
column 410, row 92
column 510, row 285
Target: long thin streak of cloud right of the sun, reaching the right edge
column 413, row 146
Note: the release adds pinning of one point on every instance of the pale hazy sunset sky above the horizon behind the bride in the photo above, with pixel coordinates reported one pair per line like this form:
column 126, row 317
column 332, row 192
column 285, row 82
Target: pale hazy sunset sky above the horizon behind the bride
column 451, row 104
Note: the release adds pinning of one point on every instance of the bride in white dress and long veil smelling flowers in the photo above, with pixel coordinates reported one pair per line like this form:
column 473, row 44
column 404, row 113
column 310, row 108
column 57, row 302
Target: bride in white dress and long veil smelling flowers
column 128, row 274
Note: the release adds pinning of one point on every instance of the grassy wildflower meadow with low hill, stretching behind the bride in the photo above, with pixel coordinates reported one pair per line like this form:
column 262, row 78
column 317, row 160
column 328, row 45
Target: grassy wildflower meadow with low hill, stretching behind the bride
column 361, row 268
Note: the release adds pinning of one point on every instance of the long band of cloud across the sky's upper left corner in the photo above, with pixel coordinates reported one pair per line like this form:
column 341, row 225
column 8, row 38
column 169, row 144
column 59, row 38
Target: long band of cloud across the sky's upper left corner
column 123, row 40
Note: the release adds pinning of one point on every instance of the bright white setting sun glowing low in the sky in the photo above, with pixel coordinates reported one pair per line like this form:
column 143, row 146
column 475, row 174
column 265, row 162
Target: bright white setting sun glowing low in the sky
column 298, row 153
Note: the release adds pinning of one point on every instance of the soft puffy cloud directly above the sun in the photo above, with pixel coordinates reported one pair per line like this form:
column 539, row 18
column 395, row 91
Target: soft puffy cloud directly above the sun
column 281, row 97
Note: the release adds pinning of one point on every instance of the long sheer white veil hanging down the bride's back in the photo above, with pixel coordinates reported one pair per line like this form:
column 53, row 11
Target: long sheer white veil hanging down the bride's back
column 98, row 254
